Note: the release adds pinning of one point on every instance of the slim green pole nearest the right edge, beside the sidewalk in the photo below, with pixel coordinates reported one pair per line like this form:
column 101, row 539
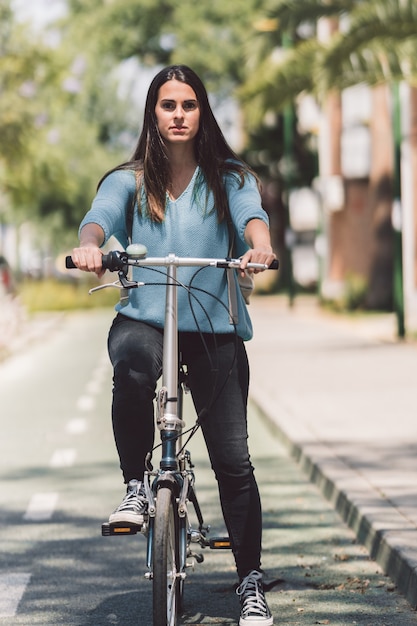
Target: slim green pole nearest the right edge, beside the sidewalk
column 398, row 279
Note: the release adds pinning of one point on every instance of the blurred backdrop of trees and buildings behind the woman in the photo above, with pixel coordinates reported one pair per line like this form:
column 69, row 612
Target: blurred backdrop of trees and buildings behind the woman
column 317, row 96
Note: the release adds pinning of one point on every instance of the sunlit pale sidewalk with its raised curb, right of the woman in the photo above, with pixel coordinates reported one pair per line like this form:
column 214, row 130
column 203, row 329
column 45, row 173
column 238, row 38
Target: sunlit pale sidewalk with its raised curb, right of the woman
column 343, row 397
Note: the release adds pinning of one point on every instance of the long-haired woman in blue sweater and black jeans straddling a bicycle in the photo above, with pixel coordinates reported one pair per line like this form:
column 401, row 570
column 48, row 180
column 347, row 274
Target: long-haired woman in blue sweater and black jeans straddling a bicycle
column 189, row 190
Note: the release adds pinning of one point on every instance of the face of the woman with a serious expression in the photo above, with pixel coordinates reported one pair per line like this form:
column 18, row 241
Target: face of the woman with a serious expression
column 177, row 112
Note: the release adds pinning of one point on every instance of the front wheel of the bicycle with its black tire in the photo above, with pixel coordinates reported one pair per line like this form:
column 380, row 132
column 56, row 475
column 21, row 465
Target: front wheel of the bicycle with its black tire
column 165, row 560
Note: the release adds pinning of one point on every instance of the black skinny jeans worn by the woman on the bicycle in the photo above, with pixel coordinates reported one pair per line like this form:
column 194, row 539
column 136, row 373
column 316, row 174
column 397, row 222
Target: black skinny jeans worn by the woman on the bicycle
column 135, row 351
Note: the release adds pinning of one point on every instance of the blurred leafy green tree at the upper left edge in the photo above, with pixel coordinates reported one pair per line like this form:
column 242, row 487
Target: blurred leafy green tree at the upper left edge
column 61, row 126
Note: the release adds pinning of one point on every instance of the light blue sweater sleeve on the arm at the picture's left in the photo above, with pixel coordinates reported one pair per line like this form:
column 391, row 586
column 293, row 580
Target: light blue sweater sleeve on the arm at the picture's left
column 109, row 207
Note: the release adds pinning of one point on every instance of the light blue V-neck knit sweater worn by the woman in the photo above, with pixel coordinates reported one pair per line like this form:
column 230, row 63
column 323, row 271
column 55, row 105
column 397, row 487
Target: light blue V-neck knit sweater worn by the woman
column 190, row 229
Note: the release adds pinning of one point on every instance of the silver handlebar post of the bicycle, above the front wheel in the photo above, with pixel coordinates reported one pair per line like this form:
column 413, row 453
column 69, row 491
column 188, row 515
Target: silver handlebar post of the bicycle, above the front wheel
column 168, row 421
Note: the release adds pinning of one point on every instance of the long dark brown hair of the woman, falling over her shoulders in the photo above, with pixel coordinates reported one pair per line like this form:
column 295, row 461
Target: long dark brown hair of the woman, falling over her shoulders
column 213, row 154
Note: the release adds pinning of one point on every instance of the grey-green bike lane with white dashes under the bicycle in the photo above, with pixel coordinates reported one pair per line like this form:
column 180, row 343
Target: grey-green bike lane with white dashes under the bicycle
column 59, row 480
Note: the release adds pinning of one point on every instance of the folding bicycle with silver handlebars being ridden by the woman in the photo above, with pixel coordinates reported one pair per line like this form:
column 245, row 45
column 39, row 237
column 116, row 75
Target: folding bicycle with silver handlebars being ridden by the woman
column 169, row 489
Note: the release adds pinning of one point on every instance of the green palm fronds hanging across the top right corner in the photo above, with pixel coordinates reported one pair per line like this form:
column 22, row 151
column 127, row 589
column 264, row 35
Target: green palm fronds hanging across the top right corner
column 377, row 43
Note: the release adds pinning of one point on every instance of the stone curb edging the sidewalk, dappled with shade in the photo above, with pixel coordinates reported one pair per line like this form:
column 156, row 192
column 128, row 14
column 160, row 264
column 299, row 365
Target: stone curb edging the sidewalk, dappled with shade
column 366, row 512
